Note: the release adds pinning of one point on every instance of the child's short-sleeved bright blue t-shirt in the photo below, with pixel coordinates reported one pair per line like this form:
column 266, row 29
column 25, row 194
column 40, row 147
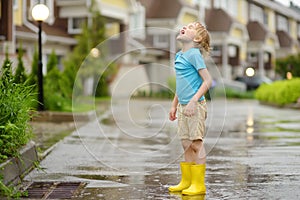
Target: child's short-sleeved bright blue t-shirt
column 188, row 80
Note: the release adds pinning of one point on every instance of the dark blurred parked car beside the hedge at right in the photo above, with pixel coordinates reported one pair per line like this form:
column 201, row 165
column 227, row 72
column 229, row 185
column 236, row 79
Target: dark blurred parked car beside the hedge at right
column 253, row 82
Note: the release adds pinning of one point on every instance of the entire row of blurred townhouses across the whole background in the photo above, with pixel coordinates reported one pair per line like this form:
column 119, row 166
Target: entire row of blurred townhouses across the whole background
column 142, row 33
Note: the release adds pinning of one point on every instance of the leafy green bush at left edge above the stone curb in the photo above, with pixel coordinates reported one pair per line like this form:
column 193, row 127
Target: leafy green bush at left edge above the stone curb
column 14, row 116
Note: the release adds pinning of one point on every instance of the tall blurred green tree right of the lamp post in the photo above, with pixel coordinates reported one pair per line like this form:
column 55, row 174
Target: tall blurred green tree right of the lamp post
column 92, row 35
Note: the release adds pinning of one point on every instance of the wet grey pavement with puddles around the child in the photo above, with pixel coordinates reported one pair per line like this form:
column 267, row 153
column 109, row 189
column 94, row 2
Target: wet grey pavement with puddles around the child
column 132, row 152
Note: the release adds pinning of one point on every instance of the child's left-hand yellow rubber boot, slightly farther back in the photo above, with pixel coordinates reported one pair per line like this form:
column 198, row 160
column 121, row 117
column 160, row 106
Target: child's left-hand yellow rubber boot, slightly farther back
column 185, row 182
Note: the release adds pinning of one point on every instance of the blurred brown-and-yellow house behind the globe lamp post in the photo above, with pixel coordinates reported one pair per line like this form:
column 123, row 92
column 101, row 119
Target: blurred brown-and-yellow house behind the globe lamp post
column 61, row 27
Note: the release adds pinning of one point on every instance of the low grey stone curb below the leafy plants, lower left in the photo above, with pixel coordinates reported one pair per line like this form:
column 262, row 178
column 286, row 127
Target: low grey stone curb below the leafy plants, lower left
column 14, row 169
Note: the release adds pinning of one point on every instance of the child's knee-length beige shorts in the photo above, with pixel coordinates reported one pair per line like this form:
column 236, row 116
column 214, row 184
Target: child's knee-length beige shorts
column 192, row 128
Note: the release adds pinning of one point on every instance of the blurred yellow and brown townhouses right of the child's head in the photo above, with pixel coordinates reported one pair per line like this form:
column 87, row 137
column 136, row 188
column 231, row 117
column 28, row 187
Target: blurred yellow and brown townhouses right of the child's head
column 251, row 33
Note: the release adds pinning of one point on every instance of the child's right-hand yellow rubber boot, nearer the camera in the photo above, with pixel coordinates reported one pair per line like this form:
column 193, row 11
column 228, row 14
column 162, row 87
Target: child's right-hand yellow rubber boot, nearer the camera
column 197, row 182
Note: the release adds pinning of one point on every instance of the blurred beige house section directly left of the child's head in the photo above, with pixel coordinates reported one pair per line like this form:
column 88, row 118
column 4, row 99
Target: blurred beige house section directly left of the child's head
column 163, row 21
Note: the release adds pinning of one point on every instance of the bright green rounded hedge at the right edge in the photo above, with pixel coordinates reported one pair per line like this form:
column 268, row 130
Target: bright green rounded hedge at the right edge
column 280, row 92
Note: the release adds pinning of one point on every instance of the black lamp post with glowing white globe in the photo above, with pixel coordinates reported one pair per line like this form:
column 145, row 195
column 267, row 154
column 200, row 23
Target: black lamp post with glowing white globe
column 40, row 13
